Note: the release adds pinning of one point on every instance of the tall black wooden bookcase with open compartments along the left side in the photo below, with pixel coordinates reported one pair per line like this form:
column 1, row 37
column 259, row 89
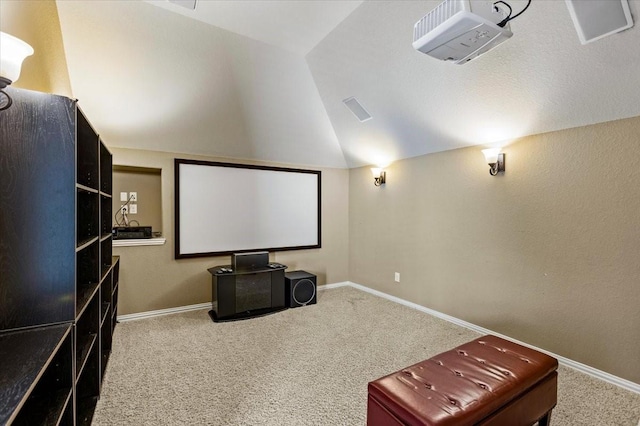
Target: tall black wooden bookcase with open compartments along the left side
column 58, row 278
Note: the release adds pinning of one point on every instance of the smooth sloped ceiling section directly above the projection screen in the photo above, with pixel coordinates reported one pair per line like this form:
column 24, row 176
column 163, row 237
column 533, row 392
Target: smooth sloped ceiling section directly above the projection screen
column 149, row 78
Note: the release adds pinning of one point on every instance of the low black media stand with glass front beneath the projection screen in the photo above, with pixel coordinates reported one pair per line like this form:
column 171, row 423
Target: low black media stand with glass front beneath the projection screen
column 246, row 293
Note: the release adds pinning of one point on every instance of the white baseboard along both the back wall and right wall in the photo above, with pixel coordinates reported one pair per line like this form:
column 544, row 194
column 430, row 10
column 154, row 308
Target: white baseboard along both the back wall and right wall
column 583, row 368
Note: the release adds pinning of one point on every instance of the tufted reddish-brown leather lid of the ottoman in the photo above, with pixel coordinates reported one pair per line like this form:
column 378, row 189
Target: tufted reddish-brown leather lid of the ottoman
column 463, row 385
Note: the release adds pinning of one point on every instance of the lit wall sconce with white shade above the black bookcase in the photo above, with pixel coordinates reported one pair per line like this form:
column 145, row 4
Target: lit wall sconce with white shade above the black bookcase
column 13, row 52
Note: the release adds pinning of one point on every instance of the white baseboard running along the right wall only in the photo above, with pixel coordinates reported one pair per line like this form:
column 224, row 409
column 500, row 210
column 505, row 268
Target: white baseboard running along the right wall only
column 583, row 368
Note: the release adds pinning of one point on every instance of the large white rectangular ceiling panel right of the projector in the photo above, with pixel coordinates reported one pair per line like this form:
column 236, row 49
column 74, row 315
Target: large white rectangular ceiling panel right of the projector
column 596, row 19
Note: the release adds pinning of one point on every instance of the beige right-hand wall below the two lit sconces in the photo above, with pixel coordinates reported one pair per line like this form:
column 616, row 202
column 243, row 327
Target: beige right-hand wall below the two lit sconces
column 547, row 253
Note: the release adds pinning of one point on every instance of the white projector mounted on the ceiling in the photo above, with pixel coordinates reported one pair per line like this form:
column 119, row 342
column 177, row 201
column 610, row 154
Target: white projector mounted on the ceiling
column 461, row 30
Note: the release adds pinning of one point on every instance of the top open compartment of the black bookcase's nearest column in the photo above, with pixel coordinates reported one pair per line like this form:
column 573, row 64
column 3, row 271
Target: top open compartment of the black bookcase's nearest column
column 87, row 170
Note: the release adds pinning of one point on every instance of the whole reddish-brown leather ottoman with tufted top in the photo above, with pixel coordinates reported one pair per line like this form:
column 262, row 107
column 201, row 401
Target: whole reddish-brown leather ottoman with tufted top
column 489, row 381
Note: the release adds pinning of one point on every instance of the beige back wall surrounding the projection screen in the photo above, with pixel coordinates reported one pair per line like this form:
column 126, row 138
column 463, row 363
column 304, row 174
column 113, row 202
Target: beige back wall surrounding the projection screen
column 151, row 279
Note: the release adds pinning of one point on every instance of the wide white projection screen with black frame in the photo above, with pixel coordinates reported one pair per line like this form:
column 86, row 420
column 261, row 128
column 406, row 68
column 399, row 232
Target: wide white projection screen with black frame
column 224, row 208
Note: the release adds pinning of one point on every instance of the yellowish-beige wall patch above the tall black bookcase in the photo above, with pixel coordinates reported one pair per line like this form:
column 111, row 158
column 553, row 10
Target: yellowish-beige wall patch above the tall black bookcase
column 36, row 22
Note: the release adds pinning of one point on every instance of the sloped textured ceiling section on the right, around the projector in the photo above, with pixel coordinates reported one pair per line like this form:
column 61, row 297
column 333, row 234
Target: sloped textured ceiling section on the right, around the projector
column 542, row 79
